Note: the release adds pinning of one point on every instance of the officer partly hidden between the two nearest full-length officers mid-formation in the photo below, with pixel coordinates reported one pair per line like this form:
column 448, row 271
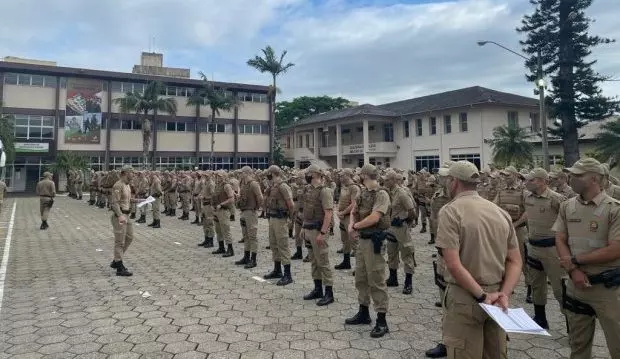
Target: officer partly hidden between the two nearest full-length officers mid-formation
column 349, row 191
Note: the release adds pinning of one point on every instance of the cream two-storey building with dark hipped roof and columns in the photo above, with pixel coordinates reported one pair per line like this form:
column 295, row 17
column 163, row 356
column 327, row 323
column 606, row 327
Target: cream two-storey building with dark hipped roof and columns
column 417, row 133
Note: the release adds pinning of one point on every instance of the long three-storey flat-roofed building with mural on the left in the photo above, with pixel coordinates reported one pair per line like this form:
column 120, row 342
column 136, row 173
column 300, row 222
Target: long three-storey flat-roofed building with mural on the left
column 70, row 109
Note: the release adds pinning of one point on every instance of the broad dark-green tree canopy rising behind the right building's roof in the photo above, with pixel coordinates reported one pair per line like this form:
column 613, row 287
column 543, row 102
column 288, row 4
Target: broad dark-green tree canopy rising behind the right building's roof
column 288, row 112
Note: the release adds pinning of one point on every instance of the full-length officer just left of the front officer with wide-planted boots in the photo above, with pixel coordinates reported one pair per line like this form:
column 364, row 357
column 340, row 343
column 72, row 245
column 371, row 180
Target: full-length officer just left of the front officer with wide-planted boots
column 318, row 214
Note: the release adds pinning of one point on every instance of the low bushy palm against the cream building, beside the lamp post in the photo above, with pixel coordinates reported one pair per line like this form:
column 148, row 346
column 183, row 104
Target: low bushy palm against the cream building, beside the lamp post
column 511, row 146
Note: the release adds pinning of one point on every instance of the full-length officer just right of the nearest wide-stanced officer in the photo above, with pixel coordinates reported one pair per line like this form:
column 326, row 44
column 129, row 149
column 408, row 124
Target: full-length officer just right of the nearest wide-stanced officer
column 403, row 211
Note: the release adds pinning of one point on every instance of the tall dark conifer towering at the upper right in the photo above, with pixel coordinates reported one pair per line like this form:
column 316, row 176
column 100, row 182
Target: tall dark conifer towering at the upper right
column 559, row 29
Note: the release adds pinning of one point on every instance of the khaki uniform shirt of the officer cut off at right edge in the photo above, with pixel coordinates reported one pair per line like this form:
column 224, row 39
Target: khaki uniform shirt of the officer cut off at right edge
column 590, row 226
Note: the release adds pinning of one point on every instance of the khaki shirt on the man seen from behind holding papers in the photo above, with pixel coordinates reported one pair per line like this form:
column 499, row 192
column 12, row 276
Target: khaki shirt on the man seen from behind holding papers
column 481, row 232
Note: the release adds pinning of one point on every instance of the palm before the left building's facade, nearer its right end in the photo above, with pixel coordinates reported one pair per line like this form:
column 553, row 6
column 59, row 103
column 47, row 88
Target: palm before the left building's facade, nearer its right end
column 216, row 99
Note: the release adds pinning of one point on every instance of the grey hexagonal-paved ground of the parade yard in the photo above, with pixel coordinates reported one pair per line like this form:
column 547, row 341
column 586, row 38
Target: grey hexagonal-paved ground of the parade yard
column 62, row 300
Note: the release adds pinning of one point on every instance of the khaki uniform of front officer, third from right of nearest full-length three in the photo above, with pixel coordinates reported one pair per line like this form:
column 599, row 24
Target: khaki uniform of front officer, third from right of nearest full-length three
column 278, row 215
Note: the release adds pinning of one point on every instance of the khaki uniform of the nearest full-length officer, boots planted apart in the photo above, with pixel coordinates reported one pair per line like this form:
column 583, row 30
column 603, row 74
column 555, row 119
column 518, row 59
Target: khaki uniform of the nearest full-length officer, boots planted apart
column 370, row 266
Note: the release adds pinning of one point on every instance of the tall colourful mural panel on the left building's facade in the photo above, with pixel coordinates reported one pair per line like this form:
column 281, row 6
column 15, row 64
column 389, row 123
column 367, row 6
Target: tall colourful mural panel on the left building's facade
column 83, row 111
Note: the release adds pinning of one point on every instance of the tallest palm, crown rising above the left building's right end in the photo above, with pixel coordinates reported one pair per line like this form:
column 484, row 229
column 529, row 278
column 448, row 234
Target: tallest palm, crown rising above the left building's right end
column 271, row 64
